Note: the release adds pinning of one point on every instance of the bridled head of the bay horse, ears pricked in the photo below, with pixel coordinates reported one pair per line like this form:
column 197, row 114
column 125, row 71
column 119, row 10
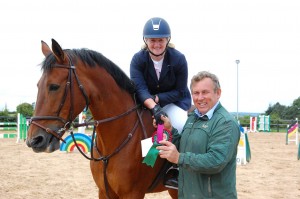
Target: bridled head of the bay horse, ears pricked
column 59, row 90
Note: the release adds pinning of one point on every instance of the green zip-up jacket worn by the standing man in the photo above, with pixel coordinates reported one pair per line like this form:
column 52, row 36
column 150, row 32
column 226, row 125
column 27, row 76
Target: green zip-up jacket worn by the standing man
column 207, row 161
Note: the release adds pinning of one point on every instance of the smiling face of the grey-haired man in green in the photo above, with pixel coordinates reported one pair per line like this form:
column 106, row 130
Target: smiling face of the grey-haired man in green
column 204, row 96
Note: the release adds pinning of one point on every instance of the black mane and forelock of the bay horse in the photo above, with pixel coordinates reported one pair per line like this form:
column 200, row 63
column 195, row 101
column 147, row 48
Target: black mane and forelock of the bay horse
column 93, row 58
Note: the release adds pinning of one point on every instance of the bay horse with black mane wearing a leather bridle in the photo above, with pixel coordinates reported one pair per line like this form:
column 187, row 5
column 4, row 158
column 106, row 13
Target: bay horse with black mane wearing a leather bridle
column 73, row 79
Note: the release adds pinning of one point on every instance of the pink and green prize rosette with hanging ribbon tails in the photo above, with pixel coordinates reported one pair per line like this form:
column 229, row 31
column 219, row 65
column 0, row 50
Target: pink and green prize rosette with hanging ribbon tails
column 157, row 136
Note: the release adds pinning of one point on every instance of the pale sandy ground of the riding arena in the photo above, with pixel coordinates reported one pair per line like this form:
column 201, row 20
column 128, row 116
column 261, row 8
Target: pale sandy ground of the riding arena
column 273, row 172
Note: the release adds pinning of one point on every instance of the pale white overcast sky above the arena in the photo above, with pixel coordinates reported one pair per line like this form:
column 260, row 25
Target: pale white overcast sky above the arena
column 263, row 34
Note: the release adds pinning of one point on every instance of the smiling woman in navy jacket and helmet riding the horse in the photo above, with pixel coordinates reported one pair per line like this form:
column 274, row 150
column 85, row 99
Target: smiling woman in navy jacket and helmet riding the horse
column 160, row 73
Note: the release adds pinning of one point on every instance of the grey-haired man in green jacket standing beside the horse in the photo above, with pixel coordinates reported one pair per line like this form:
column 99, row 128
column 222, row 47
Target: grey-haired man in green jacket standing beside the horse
column 207, row 146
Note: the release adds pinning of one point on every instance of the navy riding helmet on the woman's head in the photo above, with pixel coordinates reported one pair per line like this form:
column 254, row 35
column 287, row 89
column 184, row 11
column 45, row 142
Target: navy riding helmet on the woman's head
column 156, row 28
